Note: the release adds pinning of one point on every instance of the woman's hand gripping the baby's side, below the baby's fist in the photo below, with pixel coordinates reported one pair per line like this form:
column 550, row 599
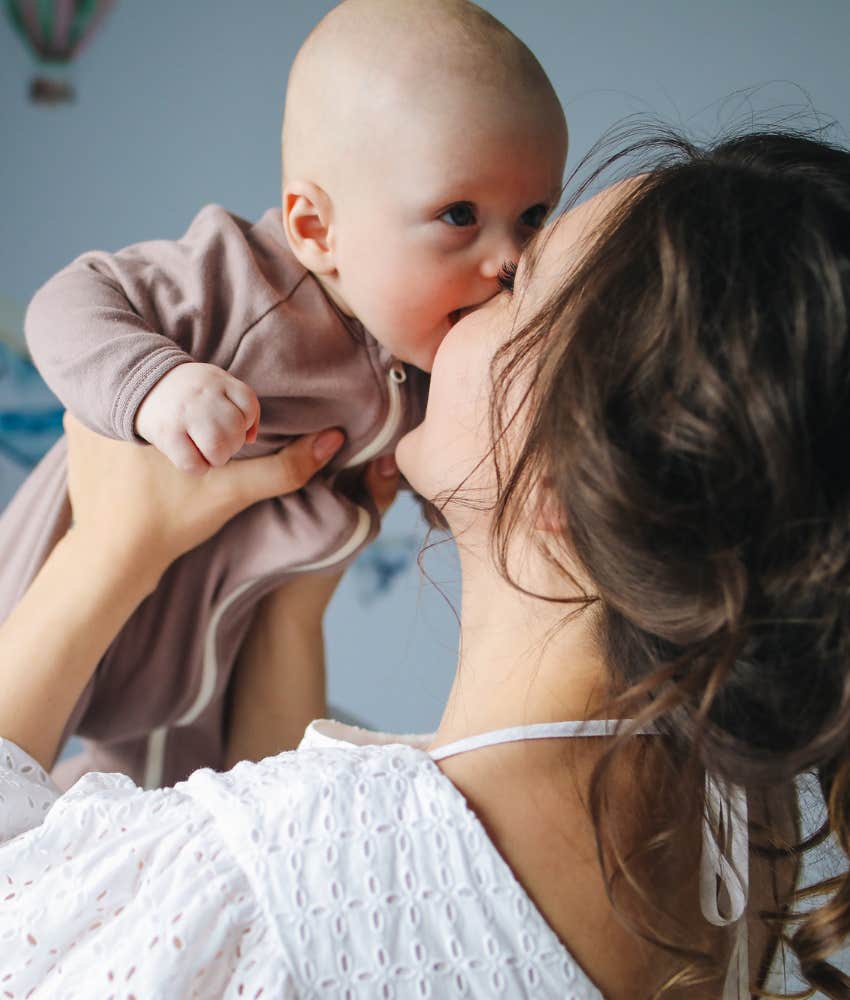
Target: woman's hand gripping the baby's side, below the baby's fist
column 132, row 502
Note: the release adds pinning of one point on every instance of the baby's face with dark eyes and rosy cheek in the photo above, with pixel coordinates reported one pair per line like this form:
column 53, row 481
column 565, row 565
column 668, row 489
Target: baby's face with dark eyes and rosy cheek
column 426, row 226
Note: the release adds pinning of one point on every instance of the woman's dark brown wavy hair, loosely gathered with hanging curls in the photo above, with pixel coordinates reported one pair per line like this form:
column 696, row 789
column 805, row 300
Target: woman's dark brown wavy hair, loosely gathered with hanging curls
column 690, row 410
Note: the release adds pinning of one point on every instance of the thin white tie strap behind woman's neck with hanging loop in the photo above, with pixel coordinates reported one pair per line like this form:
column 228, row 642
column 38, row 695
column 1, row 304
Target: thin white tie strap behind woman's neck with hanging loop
column 724, row 863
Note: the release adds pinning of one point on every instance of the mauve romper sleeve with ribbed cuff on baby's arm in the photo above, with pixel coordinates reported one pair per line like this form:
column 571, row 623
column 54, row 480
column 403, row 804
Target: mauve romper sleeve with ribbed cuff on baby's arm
column 108, row 327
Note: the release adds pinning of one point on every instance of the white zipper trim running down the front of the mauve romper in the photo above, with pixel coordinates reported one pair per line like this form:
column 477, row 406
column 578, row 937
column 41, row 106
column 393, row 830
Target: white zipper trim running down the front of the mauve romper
column 155, row 754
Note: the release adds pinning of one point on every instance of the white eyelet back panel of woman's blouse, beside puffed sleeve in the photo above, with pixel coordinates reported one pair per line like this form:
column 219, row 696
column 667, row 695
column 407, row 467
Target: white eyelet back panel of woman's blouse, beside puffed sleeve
column 369, row 859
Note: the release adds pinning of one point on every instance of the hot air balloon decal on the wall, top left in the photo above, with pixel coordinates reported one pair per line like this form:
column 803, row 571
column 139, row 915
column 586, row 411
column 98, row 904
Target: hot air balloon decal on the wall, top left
column 55, row 31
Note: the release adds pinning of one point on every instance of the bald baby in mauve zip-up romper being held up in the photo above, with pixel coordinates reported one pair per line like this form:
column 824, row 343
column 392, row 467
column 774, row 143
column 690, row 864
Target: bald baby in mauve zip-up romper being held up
column 422, row 146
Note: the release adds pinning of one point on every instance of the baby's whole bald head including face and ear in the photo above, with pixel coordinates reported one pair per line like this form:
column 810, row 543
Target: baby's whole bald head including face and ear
column 423, row 146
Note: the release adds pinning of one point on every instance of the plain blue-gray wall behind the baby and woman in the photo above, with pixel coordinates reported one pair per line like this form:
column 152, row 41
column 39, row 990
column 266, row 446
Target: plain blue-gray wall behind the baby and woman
column 179, row 104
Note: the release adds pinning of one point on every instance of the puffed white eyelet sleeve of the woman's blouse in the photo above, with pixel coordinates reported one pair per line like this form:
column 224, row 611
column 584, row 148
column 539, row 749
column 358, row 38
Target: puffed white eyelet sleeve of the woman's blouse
column 111, row 890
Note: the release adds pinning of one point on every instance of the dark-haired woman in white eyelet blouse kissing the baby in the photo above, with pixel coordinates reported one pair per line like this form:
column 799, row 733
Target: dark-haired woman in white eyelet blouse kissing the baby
column 638, row 450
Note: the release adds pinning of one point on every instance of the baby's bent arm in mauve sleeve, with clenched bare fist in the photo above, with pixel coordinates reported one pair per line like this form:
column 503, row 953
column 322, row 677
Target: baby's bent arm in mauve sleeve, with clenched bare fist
column 109, row 328
